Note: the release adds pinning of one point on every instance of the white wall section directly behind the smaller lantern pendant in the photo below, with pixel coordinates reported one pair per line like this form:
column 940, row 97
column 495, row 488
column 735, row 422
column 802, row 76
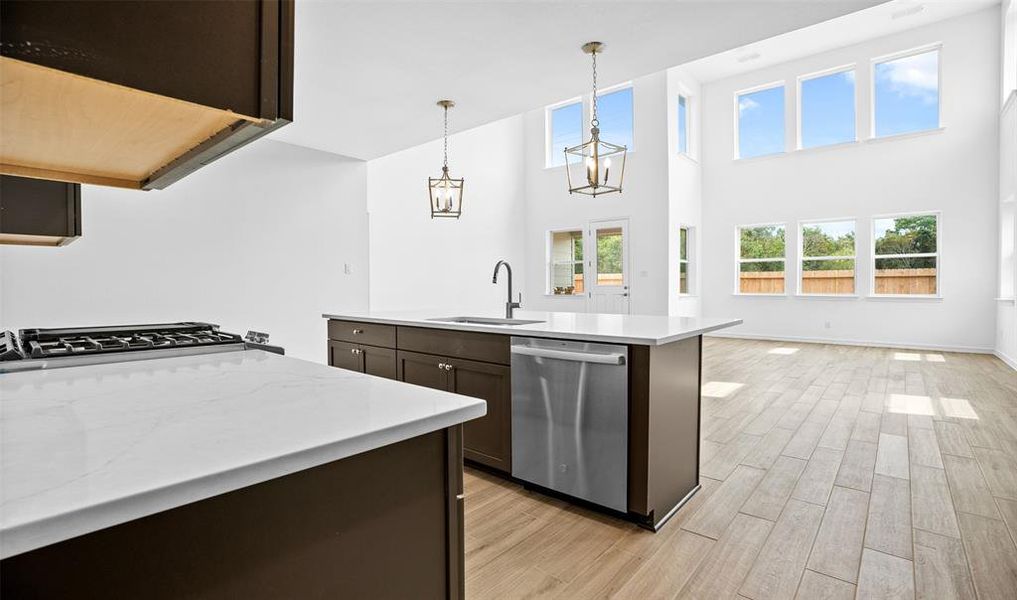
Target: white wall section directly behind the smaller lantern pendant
column 446, row 265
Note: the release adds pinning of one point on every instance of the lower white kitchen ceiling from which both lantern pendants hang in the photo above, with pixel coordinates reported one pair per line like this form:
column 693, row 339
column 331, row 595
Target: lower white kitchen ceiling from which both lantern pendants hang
column 368, row 75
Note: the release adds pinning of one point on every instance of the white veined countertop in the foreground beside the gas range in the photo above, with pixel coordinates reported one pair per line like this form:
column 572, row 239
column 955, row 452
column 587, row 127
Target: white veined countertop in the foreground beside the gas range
column 86, row 448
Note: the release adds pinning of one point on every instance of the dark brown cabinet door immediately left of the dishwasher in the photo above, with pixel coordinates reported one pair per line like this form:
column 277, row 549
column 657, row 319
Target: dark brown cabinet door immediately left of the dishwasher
column 488, row 440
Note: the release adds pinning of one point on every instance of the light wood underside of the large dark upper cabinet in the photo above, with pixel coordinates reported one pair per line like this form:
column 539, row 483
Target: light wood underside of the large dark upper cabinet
column 66, row 128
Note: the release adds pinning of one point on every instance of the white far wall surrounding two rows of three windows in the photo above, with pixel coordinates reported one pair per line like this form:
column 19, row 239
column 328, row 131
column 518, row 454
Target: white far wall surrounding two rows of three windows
column 954, row 171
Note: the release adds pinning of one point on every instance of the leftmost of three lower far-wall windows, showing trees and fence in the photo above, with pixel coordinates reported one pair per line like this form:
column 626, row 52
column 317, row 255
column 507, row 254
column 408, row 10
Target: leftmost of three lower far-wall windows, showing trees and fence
column 761, row 260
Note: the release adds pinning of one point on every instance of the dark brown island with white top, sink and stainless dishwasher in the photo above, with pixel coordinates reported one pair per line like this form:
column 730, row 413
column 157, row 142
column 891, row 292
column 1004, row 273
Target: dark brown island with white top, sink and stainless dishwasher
column 481, row 354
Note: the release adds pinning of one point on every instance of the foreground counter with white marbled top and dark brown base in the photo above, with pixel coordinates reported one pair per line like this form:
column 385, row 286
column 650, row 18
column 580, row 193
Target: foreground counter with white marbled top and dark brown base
column 237, row 474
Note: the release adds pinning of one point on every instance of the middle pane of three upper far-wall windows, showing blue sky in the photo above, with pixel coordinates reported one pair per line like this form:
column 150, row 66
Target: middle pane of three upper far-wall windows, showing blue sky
column 828, row 110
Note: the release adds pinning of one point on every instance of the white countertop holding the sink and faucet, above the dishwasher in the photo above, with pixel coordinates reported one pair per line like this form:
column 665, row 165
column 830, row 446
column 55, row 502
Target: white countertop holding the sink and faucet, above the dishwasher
column 620, row 329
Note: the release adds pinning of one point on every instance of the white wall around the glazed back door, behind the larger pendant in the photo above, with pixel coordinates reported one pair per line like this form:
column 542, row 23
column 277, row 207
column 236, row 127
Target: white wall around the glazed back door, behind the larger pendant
column 643, row 202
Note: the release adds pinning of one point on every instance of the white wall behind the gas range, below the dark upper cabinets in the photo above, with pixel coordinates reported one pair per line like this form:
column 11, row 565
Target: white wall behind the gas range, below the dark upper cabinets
column 256, row 242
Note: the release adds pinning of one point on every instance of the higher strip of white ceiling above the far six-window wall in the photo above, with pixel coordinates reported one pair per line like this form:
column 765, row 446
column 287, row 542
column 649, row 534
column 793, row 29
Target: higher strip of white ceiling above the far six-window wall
column 877, row 22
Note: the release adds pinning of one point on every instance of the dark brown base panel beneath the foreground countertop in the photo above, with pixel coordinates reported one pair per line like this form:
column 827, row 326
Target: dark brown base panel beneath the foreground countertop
column 386, row 524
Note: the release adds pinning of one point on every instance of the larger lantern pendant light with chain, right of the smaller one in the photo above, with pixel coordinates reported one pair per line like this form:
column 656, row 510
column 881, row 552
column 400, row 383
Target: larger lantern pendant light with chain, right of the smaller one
column 604, row 163
